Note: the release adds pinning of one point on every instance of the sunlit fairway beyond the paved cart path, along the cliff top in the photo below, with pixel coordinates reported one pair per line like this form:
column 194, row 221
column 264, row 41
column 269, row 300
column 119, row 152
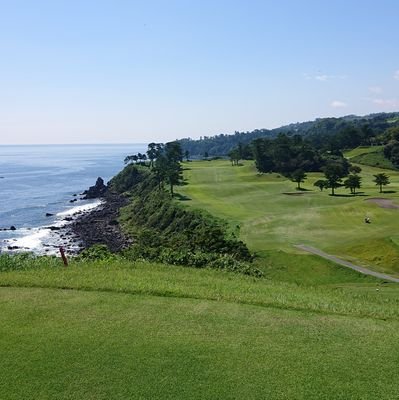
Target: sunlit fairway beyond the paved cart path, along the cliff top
column 271, row 220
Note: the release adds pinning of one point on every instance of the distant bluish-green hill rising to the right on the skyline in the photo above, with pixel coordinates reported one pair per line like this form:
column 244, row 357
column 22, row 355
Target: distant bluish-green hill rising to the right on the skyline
column 368, row 128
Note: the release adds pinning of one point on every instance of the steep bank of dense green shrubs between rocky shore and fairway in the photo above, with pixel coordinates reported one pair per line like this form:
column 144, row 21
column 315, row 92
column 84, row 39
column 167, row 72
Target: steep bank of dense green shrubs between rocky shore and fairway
column 164, row 231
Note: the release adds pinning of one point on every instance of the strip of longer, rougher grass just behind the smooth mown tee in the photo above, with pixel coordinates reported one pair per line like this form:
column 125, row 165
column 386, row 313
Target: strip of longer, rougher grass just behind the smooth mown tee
column 352, row 294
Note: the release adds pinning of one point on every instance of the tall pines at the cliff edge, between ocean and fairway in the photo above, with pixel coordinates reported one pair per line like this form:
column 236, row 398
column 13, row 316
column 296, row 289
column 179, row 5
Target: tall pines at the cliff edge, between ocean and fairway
column 164, row 160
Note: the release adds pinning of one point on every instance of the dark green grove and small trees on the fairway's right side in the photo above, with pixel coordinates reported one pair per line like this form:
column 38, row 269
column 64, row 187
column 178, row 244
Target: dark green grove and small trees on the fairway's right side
column 294, row 156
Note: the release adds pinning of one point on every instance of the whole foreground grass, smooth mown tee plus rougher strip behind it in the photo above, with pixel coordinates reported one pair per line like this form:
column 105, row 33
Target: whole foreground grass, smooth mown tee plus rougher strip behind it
column 148, row 331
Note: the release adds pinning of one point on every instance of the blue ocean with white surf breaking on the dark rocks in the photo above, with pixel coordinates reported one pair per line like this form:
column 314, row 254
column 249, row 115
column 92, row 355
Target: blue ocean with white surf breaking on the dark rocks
column 36, row 180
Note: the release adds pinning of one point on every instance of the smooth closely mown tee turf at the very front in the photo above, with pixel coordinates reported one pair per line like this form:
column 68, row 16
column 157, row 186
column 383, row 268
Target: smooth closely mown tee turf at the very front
column 58, row 344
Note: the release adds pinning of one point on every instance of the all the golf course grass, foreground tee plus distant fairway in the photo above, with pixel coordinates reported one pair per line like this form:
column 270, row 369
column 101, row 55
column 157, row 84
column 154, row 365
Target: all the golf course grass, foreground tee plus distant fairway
column 307, row 329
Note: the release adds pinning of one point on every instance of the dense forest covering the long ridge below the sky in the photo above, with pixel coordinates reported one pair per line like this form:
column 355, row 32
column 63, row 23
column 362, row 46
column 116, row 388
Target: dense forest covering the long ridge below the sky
column 326, row 134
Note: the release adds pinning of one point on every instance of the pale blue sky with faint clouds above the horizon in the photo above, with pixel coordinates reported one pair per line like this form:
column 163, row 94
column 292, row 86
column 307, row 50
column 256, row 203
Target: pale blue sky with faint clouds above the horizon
column 138, row 71
